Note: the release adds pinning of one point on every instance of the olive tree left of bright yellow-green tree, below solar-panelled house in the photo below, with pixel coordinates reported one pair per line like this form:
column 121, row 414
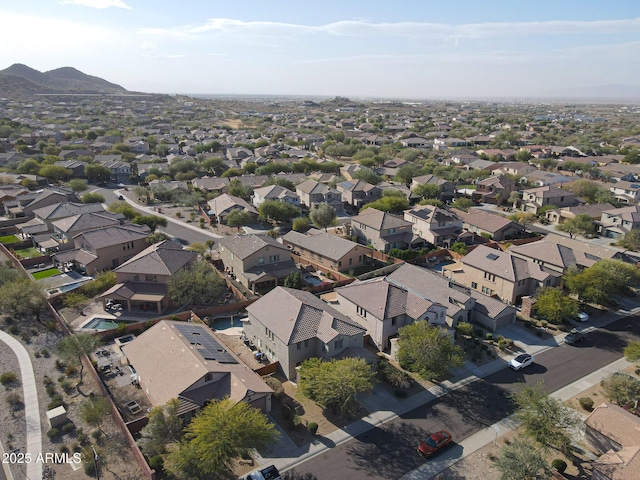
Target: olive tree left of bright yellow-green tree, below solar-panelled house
column 164, row 426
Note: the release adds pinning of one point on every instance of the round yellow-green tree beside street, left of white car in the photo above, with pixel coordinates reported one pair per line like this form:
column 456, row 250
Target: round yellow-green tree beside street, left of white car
column 426, row 349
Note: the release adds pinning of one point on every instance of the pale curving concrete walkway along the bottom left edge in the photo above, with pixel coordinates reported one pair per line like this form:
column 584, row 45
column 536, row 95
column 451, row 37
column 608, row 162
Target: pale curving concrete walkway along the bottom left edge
column 31, row 406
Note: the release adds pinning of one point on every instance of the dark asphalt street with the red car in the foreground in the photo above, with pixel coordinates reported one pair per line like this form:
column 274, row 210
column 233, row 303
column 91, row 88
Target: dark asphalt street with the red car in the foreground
column 389, row 451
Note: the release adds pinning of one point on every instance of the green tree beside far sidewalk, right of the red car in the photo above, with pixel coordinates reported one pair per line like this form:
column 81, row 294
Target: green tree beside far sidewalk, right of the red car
column 545, row 419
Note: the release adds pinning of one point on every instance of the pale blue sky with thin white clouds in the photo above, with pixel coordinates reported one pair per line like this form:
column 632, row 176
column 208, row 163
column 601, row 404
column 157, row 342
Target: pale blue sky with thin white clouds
column 372, row 48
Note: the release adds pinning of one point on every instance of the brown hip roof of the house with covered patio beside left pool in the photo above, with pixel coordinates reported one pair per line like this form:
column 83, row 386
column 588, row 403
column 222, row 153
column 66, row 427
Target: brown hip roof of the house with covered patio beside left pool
column 163, row 258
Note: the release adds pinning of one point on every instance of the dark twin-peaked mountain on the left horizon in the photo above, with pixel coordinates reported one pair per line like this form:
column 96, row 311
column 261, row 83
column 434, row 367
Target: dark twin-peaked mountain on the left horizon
column 21, row 80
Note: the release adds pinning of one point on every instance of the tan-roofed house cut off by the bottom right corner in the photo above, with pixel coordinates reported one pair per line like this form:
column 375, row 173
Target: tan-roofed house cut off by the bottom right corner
column 615, row 434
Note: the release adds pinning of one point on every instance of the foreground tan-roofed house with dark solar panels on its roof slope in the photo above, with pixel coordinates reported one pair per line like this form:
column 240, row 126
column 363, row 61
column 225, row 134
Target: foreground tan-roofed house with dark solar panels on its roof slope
column 189, row 362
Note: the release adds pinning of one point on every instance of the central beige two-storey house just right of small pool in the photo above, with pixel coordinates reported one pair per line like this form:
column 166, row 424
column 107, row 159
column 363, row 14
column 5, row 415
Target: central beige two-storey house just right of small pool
column 291, row 326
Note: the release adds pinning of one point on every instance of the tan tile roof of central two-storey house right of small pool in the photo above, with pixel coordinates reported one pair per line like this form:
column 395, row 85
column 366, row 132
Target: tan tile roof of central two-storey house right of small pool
column 296, row 315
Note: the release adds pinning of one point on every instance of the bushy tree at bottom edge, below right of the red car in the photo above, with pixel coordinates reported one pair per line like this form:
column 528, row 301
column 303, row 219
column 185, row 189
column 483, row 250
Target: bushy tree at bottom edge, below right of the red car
column 521, row 460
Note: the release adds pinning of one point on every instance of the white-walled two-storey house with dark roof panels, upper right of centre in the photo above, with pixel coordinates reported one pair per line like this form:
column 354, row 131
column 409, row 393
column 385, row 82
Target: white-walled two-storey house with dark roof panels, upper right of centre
column 435, row 225
